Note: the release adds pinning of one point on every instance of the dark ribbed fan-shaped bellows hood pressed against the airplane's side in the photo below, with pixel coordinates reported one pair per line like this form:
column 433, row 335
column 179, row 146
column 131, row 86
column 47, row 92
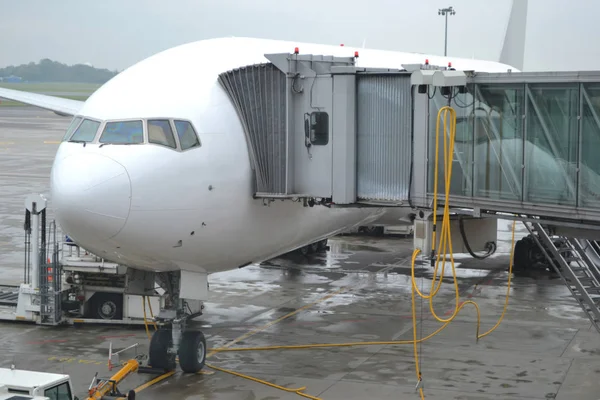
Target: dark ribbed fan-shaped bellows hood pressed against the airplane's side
column 259, row 95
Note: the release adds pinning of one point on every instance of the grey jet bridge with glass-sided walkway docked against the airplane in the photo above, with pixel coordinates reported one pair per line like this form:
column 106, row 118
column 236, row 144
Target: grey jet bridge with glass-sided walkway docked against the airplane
column 320, row 128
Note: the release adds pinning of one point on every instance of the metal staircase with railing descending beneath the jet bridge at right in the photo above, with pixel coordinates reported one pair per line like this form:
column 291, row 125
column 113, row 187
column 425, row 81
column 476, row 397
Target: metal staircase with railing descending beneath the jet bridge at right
column 573, row 264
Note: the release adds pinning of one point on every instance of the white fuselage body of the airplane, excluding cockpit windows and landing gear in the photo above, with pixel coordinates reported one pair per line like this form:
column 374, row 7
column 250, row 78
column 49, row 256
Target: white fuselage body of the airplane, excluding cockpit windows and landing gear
column 152, row 207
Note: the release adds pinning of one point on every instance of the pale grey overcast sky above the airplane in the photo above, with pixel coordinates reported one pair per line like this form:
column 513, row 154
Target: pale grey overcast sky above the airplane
column 115, row 34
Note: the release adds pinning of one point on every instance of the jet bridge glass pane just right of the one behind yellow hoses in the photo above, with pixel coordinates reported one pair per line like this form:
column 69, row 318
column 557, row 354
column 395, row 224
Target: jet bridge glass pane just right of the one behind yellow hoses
column 497, row 117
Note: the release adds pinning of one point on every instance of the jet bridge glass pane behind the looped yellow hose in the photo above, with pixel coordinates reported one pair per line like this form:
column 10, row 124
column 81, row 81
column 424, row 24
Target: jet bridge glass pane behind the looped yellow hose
column 462, row 164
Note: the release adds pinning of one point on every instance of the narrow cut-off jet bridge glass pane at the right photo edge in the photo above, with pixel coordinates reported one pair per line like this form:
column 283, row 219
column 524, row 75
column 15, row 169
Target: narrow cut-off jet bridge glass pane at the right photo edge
column 589, row 174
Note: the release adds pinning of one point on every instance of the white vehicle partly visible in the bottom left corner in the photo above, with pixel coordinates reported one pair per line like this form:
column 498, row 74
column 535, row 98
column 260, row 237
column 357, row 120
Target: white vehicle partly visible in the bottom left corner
column 22, row 384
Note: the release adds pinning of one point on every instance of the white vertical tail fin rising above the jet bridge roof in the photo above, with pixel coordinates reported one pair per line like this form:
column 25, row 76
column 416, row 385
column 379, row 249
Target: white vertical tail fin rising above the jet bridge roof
column 513, row 48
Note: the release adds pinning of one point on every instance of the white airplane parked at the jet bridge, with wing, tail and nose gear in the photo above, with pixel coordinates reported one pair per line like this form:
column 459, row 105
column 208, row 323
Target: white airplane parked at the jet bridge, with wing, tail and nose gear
column 154, row 173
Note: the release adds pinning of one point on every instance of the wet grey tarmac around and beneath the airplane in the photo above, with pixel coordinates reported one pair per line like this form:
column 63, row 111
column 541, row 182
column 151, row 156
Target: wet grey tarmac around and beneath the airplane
column 358, row 291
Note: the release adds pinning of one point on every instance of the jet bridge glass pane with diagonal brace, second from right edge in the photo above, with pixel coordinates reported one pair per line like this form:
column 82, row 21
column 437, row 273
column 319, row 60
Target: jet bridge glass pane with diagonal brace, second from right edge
column 551, row 143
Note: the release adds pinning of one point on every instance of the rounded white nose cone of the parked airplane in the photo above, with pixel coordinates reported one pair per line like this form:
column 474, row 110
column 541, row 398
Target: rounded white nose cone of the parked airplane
column 91, row 196
